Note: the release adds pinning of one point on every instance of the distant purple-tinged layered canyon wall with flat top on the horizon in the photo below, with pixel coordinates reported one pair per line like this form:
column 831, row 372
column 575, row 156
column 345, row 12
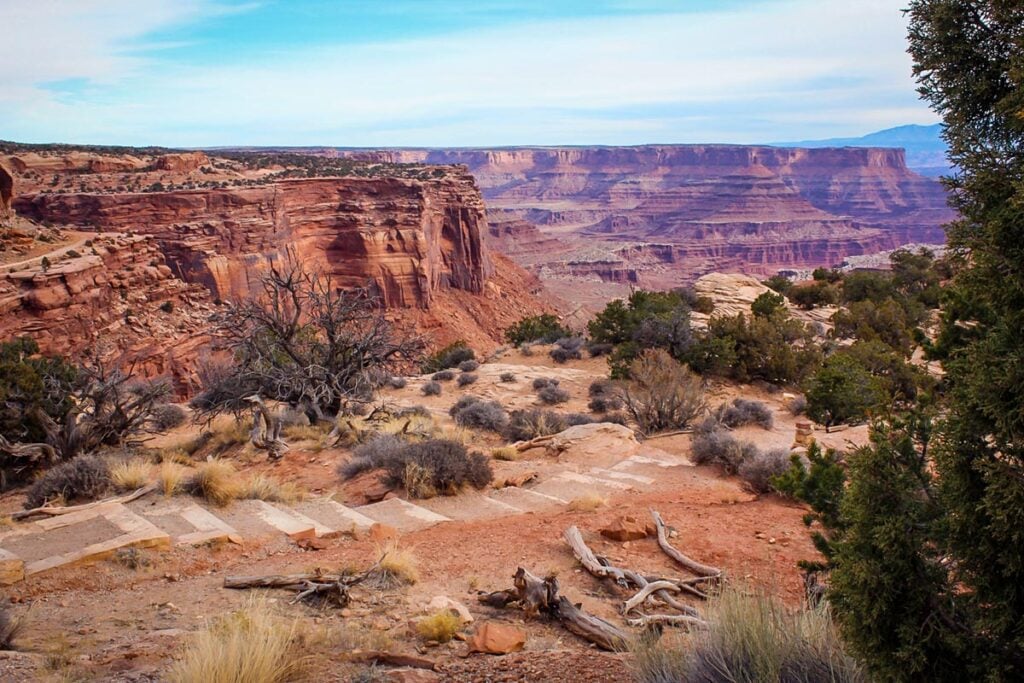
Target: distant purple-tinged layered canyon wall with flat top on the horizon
column 604, row 220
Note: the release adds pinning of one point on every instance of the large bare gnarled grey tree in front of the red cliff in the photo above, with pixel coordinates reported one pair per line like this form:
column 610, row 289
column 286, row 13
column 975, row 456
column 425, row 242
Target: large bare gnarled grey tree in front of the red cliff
column 309, row 344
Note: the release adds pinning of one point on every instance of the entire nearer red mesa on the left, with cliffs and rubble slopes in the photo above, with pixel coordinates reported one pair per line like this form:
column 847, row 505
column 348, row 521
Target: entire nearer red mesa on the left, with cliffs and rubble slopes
column 160, row 262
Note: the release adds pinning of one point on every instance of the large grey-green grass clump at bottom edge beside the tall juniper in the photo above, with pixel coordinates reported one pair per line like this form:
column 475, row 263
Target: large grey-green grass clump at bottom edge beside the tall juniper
column 753, row 637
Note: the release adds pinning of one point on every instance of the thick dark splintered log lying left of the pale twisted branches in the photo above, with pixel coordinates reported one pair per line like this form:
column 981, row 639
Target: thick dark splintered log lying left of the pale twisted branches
column 540, row 596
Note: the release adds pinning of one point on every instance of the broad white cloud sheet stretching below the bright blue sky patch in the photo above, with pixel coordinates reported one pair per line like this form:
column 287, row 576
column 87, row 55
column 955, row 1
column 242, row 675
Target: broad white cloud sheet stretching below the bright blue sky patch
column 786, row 70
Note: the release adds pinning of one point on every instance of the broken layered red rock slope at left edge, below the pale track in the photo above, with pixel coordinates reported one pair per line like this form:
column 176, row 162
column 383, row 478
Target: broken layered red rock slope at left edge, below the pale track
column 115, row 297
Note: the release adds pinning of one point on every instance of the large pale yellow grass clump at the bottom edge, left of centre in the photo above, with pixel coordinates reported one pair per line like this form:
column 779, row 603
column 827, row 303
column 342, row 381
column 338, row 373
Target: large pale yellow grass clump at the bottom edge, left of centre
column 252, row 646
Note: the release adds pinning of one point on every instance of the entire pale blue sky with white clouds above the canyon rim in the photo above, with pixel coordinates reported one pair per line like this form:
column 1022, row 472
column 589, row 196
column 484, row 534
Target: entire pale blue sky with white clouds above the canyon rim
column 374, row 73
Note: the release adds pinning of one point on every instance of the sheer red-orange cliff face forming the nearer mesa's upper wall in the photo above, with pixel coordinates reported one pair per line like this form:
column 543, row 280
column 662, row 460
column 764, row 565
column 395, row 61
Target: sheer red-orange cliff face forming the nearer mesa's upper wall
column 410, row 239
